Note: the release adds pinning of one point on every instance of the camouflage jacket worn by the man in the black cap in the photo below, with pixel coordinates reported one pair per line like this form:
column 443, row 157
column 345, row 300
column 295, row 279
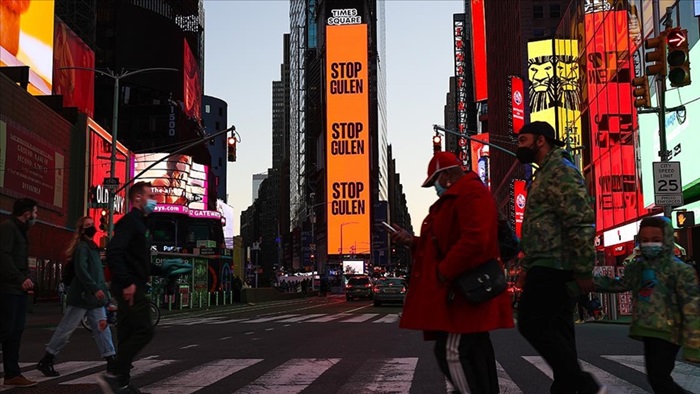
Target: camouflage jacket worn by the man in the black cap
column 558, row 226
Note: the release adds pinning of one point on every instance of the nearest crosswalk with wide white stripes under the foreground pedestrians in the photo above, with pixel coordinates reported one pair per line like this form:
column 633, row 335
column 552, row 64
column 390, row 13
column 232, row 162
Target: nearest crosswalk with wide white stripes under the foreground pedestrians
column 373, row 375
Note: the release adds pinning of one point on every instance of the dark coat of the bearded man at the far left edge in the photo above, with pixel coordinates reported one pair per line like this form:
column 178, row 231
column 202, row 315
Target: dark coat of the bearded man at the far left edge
column 14, row 253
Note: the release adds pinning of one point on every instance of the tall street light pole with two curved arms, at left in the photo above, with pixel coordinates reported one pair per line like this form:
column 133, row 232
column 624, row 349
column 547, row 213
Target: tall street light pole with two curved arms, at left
column 115, row 122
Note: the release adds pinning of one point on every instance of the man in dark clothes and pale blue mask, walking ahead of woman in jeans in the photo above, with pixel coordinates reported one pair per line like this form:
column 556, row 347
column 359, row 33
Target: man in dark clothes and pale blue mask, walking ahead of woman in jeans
column 129, row 260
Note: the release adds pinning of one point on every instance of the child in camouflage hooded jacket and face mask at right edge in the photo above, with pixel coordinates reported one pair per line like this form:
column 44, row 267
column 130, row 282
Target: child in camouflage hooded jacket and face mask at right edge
column 665, row 303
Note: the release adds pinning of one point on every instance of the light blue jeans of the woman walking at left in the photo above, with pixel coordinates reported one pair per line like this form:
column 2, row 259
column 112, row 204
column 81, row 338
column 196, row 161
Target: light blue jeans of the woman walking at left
column 71, row 320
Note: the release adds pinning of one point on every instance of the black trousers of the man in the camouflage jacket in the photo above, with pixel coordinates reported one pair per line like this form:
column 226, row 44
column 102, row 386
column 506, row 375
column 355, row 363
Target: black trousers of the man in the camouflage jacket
column 545, row 319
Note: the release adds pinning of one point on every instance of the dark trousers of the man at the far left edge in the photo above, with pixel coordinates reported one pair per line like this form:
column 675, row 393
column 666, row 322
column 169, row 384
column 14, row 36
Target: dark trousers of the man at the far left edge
column 13, row 313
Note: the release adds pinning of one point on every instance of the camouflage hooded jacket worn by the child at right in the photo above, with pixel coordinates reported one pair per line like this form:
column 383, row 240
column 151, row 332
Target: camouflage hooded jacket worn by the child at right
column 665, row 297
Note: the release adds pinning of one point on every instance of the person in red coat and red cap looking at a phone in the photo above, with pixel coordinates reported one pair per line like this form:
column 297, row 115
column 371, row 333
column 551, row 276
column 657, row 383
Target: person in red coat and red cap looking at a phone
column 459, row 234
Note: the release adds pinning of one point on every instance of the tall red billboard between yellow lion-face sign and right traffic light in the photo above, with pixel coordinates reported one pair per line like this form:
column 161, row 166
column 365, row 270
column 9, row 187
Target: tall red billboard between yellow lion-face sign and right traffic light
column 612, row 119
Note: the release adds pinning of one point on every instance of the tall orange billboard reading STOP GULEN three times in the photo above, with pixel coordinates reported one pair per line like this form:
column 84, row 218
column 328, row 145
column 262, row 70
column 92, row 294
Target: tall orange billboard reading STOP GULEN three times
column 347, row 137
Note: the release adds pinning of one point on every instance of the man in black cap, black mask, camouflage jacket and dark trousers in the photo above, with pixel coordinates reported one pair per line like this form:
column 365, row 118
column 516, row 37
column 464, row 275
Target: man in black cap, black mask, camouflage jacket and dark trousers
column 557, row 242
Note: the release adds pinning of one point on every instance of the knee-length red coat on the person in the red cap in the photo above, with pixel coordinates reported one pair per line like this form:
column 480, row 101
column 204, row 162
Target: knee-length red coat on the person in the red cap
column 464, row 222
